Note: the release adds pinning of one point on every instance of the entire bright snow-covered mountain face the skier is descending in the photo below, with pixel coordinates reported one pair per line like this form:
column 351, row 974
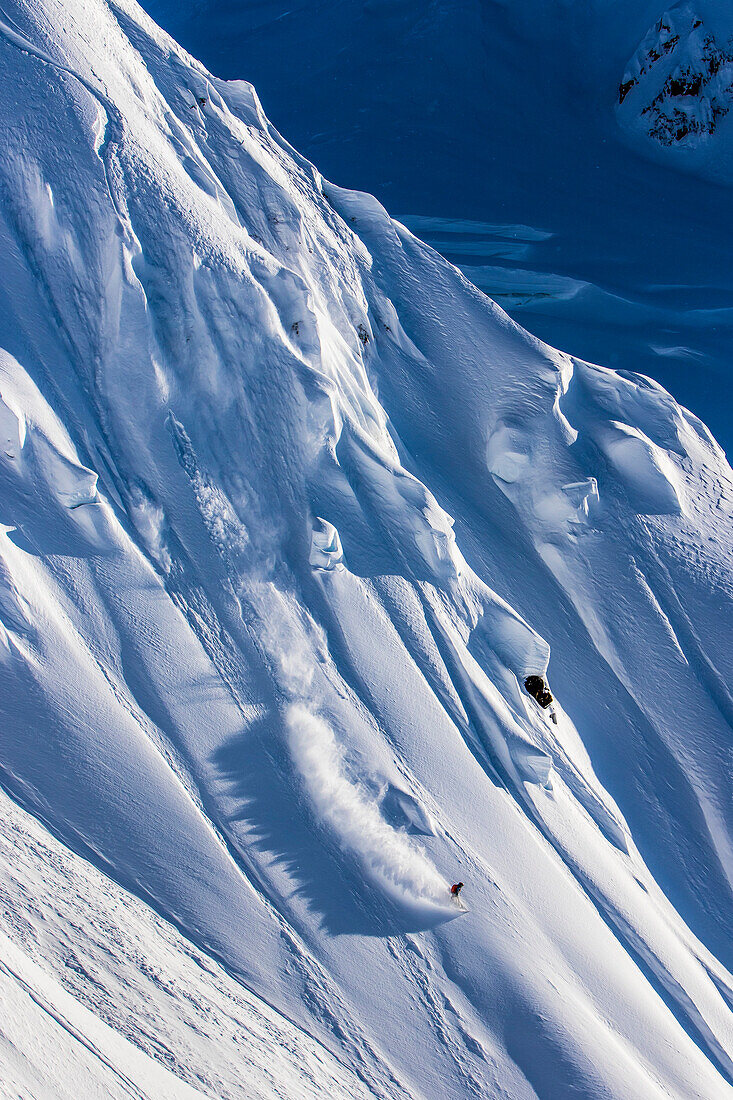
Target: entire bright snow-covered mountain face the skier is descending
column 261, row 694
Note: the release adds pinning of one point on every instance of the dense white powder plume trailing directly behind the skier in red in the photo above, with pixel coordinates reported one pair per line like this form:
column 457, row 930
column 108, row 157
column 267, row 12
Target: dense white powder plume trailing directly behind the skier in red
column 386, row 855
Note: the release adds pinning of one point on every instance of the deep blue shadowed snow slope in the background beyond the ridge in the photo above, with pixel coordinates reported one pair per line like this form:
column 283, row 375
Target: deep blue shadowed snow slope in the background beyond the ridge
column 495, row 122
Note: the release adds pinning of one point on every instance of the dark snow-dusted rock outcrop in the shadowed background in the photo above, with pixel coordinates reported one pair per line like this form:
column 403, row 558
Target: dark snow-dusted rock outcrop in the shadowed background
column 680, row 83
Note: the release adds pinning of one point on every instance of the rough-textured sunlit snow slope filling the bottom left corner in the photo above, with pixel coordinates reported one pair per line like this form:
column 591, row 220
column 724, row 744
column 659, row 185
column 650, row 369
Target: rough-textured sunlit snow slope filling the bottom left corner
column 102, row 998
